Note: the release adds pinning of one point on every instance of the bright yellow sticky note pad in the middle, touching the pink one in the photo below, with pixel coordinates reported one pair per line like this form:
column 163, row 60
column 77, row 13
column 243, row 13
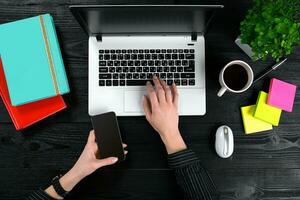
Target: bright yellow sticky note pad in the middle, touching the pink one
column 266, row 112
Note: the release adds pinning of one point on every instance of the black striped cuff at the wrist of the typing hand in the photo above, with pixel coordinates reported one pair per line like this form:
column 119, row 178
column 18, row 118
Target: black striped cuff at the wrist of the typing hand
column 182, row 158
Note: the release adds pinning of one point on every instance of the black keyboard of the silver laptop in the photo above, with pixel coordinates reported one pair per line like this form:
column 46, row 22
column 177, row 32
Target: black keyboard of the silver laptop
column 134, row 67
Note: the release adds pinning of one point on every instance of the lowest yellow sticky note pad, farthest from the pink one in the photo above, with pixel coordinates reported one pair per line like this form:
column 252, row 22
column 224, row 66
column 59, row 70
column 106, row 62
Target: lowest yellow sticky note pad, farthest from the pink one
column 251, row 124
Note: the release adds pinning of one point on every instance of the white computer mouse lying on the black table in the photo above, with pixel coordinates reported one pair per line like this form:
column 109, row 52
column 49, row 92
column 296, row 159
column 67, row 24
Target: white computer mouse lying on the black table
column 224, row 143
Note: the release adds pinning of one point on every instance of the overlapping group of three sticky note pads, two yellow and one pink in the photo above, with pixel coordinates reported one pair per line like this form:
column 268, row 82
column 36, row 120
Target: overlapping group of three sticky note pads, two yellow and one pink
column 267, row 111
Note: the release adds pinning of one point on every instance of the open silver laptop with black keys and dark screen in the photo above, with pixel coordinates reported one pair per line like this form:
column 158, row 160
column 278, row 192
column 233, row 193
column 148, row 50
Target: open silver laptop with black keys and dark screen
column 128, row 44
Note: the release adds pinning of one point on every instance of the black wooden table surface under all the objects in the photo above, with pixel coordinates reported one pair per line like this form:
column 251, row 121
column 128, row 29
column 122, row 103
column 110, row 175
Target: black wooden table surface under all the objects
column 263, row 166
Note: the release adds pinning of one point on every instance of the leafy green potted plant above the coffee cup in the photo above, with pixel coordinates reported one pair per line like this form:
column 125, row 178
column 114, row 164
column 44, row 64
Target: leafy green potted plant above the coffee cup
column 271, row 28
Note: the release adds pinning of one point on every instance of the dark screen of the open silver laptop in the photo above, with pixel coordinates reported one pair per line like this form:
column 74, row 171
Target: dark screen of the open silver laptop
column 139, row 19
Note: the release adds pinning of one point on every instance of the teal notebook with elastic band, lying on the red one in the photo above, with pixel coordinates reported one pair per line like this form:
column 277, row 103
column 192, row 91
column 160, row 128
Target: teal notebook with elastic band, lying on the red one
column 32, row 60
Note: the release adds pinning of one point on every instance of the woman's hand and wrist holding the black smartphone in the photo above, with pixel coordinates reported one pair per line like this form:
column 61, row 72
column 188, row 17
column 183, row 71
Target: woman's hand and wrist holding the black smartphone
column 87, row 163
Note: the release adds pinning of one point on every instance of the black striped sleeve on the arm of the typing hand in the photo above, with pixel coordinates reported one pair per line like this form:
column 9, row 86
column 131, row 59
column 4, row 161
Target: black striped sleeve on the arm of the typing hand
column 191, row 177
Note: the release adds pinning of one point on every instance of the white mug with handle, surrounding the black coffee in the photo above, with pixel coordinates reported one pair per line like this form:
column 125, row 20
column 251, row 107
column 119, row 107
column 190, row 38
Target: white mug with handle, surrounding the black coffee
column 225, row 88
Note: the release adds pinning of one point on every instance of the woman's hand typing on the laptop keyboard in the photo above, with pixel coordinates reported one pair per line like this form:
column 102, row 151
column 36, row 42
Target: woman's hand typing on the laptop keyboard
column 161, row 109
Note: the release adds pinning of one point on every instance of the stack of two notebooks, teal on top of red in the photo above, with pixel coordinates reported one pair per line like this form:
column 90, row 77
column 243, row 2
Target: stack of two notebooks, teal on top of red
column 32, row 72
